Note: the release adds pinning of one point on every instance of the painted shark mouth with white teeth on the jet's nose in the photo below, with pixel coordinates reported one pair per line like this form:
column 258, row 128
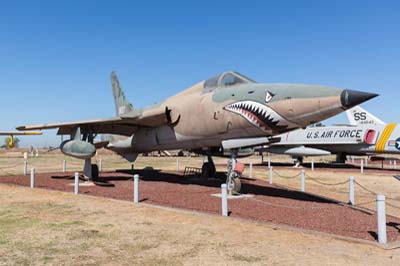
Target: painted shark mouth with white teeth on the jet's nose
column 260, row 115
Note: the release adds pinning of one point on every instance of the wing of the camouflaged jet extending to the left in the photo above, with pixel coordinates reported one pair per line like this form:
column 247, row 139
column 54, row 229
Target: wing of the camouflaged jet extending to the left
column 117, row 125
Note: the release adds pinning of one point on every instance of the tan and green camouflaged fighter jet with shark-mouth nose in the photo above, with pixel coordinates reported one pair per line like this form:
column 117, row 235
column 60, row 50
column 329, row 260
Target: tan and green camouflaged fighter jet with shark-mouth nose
column 228, row 111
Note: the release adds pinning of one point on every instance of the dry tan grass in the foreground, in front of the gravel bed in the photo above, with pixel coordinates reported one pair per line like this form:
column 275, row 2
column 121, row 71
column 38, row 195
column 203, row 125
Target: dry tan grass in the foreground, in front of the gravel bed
column 53, row 228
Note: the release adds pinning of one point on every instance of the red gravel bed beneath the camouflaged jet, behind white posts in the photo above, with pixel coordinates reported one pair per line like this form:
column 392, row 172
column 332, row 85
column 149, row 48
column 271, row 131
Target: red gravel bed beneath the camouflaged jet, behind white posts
column 270, row 203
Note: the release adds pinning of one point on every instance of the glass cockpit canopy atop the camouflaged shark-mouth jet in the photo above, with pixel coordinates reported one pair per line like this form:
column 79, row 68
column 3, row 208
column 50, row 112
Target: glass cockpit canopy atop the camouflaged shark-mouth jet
column 226, row 79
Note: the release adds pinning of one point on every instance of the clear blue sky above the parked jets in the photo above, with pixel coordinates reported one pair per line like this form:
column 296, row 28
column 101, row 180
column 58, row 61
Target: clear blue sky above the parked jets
column 56, row 56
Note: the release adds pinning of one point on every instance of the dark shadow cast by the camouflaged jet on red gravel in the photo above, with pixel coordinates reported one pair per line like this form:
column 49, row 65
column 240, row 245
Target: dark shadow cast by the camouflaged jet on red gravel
column 249, row 186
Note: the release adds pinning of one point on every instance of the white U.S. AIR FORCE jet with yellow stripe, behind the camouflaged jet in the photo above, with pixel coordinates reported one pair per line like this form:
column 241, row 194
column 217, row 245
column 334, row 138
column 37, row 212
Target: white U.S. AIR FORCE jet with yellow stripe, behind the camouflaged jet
column 366, row 135
